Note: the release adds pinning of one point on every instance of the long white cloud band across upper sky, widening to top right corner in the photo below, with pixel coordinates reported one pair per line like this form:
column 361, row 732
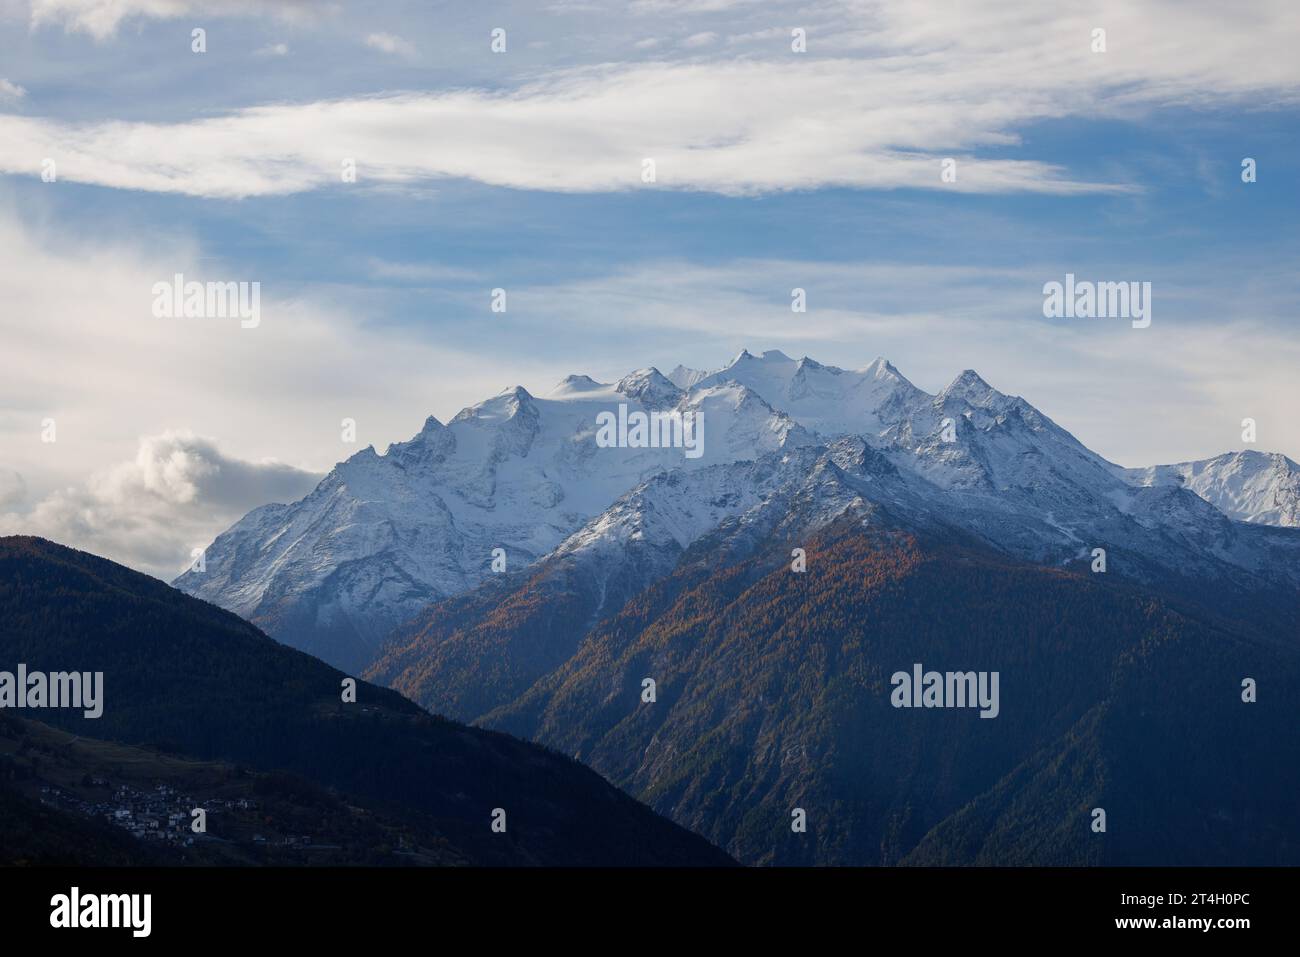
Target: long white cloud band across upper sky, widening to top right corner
column 894, row 90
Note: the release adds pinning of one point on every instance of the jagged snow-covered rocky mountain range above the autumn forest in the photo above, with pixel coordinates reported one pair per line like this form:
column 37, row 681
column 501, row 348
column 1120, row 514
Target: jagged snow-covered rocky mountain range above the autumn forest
column 383, row 536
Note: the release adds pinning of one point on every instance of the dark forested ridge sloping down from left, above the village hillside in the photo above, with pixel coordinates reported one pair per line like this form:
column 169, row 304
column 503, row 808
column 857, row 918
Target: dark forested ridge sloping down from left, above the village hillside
column 188, row 678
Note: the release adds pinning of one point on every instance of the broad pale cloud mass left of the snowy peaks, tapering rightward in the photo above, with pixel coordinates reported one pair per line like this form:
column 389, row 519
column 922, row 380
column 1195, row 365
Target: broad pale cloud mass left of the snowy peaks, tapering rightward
column 83, row 348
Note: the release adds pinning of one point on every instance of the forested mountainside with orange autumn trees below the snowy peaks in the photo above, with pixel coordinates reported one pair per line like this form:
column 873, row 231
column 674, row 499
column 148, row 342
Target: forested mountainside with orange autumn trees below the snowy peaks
column 774, row 694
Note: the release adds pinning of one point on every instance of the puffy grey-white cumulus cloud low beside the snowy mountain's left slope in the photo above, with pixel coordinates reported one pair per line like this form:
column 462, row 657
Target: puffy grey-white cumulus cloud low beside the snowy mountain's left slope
column 153, row 510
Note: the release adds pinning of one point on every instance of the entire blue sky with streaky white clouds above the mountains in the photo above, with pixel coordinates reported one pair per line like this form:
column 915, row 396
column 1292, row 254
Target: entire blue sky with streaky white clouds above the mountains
column 522, row 171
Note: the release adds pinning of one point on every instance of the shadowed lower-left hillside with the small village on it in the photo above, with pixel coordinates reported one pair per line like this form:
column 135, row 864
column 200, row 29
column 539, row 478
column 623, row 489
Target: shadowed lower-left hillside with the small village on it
column 75, row 800
